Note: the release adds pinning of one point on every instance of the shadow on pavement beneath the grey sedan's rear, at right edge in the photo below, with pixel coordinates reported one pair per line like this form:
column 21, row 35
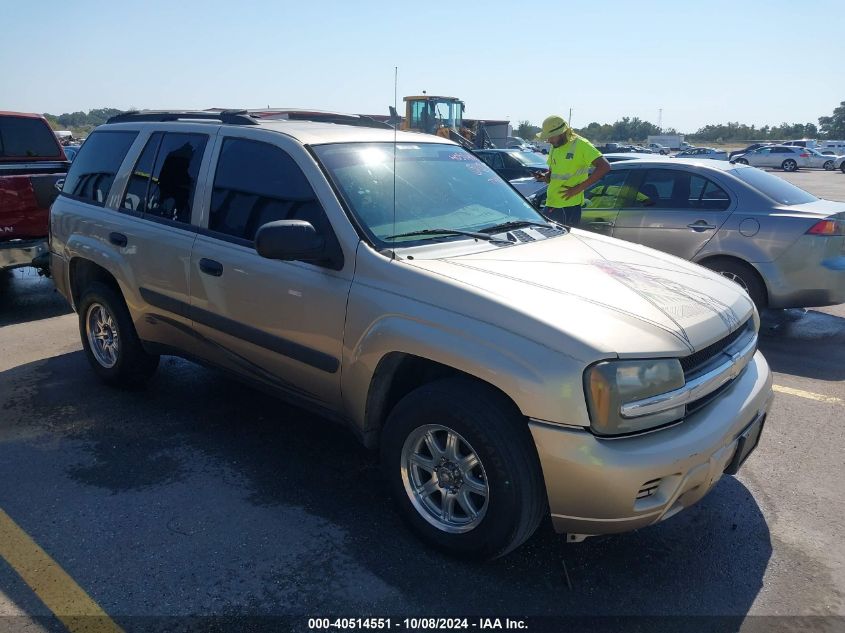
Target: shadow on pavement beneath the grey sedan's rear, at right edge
column 804, row 343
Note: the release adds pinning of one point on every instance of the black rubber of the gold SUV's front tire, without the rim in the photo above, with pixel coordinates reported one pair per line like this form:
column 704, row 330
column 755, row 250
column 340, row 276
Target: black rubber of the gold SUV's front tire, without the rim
column 498, row 434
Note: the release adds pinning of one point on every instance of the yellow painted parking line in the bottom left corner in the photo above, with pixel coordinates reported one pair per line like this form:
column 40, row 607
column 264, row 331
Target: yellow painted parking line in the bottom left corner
column 56, row 589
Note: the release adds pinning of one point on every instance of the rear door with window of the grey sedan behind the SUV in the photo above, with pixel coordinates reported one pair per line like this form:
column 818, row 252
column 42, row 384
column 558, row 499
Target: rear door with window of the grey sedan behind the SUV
column 674, row 210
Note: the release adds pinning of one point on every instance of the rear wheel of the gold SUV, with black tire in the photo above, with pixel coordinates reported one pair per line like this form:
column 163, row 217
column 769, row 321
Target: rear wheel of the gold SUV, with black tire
column 132, row 365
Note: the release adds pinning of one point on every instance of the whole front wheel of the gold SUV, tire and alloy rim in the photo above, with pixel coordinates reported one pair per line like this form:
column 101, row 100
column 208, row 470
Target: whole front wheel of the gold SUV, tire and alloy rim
column 462, row 466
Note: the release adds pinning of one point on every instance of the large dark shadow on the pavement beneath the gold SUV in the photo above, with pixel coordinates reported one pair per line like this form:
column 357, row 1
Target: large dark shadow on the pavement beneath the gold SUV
column 344, row 550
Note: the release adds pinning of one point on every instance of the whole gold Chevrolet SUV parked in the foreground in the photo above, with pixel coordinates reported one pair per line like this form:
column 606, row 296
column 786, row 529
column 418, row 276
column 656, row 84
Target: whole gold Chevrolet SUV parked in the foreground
column 426, row 308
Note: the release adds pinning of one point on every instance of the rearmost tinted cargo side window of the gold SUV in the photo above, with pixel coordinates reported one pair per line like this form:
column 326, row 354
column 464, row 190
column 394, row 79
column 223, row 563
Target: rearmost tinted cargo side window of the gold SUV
column 92, row 172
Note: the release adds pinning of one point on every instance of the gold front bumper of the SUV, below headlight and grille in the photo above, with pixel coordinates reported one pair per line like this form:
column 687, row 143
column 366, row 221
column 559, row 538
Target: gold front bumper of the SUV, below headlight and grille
column 602, row 486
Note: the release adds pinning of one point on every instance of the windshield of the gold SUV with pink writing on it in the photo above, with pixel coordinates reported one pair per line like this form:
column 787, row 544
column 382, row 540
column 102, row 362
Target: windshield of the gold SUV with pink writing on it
column 437, row 186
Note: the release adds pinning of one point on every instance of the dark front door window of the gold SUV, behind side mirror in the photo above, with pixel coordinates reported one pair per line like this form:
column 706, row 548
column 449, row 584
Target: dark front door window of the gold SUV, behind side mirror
column 257, row 183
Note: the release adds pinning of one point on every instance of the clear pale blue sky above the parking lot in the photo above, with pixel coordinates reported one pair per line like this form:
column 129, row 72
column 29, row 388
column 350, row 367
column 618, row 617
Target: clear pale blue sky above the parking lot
column 751, row 61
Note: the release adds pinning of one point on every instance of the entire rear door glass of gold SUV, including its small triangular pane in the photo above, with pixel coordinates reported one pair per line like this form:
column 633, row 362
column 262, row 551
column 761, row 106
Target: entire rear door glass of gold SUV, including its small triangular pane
column 168, row 192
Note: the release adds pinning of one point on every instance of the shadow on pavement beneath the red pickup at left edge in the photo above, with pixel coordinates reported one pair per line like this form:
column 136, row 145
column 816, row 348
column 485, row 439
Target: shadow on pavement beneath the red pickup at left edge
column 24, row 296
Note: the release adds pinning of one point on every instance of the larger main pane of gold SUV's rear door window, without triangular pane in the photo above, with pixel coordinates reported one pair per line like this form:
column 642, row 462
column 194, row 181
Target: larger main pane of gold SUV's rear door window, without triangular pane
column 173, row 181
